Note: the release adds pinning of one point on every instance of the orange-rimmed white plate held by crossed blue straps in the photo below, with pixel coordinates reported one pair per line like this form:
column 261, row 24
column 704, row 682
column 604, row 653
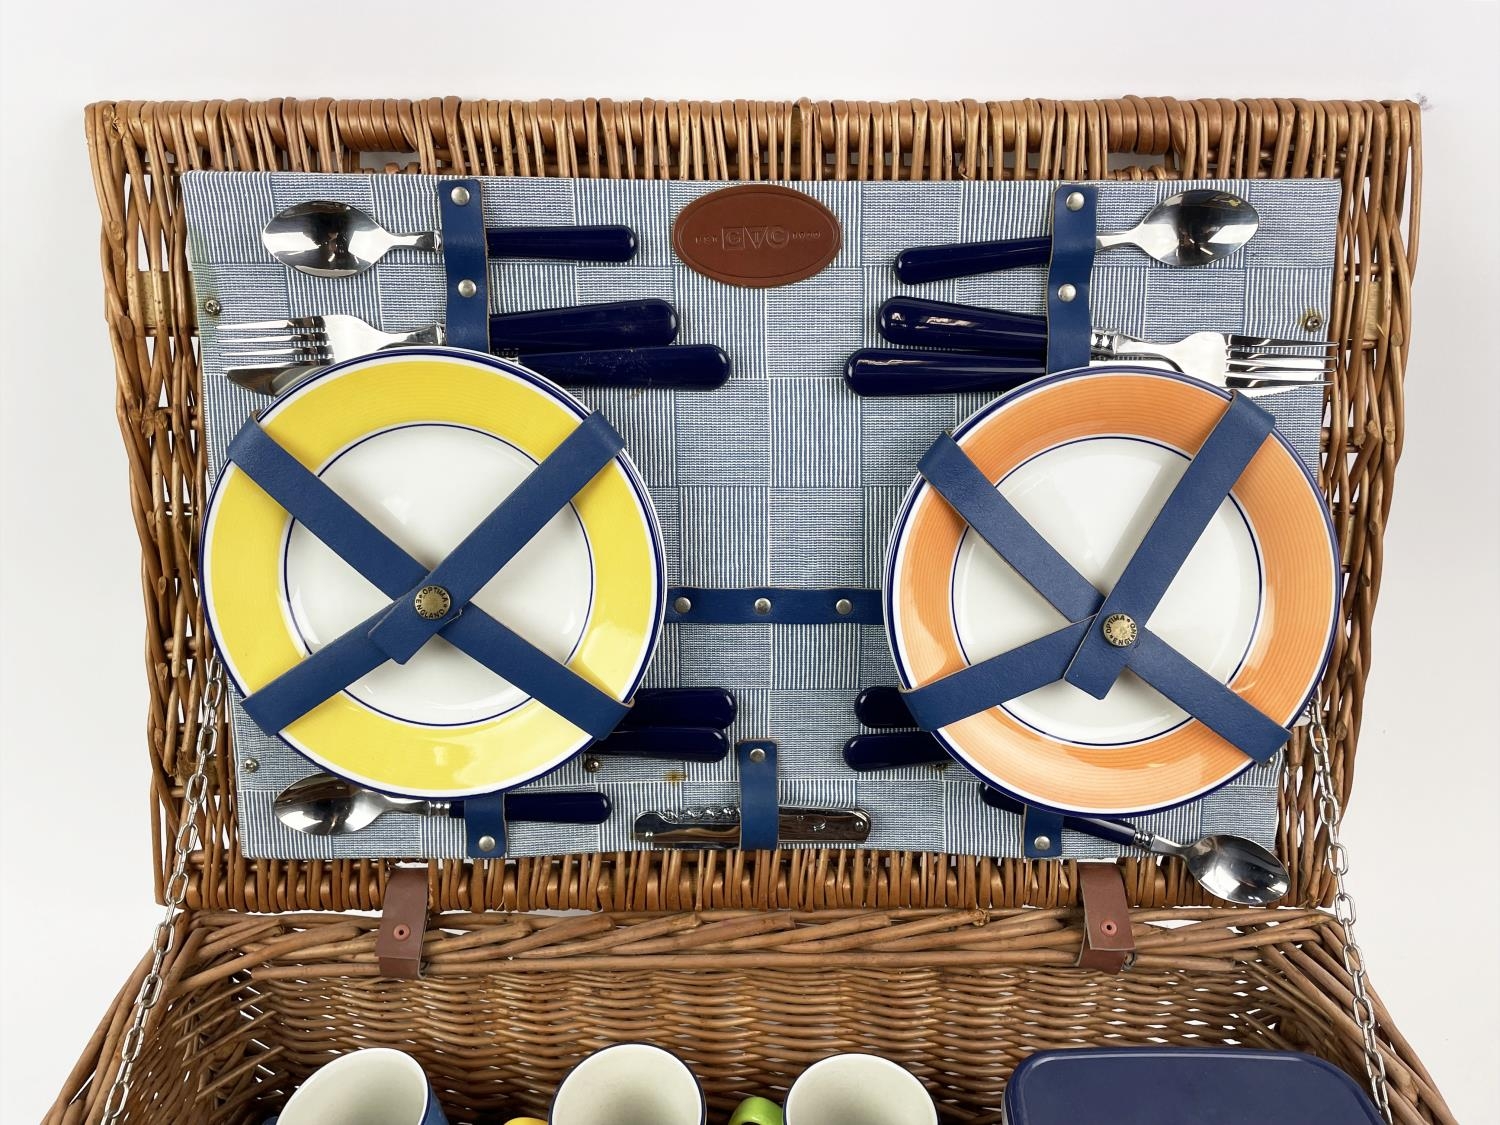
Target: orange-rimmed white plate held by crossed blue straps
column 1090, row 458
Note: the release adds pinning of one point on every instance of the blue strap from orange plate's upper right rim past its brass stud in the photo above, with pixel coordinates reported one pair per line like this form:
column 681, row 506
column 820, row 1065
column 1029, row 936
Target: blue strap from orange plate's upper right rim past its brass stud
column 1210, row 476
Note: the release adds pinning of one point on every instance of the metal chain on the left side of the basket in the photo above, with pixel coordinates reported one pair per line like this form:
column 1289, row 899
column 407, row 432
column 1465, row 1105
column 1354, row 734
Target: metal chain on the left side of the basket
column 194, row 796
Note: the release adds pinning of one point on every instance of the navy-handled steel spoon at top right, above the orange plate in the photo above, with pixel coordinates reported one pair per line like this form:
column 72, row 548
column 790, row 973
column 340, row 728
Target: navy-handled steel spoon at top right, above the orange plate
column 1193, row 229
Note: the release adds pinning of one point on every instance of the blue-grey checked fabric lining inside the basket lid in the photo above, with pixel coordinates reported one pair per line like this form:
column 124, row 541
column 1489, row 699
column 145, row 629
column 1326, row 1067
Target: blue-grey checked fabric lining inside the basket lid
column 782, row 478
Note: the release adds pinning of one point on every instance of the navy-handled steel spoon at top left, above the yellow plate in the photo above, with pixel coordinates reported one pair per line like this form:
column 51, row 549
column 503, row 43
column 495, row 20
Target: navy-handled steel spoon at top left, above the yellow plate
column 335, row 241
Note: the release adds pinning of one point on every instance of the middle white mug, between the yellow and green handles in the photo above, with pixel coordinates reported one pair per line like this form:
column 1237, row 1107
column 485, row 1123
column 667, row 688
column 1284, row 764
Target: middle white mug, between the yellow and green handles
column 632, row 1084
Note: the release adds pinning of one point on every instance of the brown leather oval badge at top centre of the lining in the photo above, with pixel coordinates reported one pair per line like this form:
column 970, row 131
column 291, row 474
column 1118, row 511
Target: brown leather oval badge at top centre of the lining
column 757, row 235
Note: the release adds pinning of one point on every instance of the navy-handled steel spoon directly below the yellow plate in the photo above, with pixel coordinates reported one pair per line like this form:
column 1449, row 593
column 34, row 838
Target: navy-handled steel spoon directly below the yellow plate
column 323, row 805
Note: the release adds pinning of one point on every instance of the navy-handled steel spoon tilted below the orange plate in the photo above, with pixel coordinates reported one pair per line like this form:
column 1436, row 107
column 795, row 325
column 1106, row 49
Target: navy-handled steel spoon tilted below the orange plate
column 1231, row 868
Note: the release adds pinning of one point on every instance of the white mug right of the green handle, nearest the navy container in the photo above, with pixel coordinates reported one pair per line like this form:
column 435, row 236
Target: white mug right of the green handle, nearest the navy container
column 859, row 1088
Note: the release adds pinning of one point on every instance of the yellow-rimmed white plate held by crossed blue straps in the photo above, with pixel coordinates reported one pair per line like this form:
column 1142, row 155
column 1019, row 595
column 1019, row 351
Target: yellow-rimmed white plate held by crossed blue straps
column 425, row 443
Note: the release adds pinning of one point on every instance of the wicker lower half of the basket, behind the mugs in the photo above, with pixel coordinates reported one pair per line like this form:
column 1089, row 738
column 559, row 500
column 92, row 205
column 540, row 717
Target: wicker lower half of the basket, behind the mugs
column 253, row 1006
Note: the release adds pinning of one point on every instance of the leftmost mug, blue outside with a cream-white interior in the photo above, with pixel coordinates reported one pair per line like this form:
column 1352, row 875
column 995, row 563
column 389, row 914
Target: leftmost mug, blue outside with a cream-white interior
column 374, row 1087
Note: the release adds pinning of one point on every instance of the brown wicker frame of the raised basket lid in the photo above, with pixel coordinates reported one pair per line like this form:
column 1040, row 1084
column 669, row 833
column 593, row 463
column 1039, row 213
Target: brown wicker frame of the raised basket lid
column 140, row 148
